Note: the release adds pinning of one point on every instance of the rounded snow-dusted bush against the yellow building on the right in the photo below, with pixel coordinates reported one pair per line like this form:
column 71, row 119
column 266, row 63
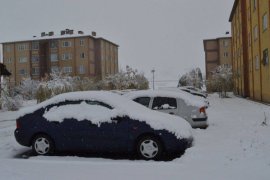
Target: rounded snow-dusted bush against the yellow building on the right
column 221, row 80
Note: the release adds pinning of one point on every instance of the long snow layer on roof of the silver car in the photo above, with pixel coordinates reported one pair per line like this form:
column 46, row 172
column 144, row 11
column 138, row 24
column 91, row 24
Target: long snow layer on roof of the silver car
column 188, row 98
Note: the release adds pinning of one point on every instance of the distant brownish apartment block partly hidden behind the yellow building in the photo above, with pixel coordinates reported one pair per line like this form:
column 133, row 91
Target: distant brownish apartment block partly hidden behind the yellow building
column 217, row 52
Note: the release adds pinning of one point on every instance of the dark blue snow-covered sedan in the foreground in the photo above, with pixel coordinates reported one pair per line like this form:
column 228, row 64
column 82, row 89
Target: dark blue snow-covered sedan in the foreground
column 100, row 121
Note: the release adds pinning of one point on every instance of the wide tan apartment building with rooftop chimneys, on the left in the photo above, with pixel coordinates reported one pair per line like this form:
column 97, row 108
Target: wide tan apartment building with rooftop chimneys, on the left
column 75, row 54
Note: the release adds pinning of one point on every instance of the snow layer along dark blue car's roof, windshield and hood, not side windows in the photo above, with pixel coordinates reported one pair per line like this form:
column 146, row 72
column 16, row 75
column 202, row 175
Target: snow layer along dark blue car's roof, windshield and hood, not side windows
column 122, row 107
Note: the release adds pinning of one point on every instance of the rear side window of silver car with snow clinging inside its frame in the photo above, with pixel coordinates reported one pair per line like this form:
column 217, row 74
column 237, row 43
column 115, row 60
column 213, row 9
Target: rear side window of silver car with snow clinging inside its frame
column 164, row 103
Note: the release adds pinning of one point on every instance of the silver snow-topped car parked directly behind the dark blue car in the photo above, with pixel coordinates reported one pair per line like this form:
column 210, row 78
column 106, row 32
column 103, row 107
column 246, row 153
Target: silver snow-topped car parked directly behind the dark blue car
column 179, row 103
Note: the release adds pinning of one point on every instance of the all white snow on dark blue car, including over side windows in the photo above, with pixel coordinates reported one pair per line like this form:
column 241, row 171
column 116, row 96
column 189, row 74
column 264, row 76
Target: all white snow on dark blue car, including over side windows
column 121, row 107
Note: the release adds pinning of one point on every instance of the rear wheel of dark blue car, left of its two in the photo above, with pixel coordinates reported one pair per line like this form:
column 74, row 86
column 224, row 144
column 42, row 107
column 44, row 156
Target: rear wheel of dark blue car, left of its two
column 42, row 145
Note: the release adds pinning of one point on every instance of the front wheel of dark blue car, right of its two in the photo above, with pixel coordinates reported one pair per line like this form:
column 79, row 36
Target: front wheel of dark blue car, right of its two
column 149, row 148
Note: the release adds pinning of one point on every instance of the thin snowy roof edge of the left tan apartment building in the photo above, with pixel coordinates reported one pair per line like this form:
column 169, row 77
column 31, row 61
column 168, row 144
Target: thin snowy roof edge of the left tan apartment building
column 58, row 36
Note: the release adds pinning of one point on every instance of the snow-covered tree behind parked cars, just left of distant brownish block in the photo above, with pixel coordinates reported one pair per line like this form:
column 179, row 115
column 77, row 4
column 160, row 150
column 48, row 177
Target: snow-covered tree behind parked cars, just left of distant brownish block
column 192, row 78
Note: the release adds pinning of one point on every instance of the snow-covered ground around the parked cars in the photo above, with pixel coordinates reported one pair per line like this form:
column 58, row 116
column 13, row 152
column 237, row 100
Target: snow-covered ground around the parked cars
column 235, row 146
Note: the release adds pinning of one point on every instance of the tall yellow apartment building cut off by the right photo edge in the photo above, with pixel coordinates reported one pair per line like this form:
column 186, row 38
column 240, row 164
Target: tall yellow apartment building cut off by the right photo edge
column 250, row 45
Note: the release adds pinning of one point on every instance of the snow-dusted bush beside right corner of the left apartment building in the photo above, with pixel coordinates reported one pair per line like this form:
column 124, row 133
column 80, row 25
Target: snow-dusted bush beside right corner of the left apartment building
column 128, row 79
